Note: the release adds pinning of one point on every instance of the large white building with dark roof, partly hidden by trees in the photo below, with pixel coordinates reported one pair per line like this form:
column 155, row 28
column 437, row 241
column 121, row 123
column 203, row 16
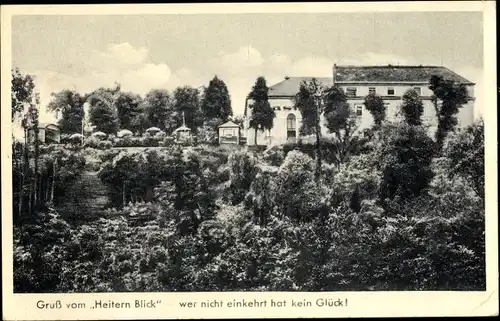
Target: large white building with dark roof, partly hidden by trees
column 388, row 82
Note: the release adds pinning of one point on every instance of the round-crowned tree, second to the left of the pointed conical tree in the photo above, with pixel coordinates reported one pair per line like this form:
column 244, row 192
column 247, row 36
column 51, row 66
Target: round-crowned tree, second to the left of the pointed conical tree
column 159, row 110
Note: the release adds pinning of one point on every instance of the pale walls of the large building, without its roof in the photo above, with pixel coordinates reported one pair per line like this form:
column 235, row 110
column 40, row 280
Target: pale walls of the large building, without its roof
column 284, row 107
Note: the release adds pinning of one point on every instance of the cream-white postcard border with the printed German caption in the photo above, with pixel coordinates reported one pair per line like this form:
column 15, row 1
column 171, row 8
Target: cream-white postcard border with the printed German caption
column 361, row 304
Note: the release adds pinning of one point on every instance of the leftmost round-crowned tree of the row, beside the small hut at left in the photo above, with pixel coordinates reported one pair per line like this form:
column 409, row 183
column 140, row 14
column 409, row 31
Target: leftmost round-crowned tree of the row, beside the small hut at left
column 69, row 104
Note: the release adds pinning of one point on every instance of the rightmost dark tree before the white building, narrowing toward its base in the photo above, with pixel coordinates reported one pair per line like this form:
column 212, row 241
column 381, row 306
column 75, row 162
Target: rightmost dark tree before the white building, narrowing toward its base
column 448, row 97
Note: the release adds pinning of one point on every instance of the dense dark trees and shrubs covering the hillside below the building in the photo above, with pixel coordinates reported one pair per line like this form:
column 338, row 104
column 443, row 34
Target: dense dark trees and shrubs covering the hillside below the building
column 396, row 208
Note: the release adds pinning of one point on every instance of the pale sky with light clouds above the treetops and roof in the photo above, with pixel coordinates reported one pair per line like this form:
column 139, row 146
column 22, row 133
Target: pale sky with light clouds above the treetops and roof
column 144, row 52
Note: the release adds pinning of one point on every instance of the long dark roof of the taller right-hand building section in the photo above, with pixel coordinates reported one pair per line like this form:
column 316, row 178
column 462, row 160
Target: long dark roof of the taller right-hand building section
column 389, row 73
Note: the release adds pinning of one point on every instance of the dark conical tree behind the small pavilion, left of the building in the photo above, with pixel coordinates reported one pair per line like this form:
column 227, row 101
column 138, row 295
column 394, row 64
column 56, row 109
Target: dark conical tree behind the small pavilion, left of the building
column 216, row 101
